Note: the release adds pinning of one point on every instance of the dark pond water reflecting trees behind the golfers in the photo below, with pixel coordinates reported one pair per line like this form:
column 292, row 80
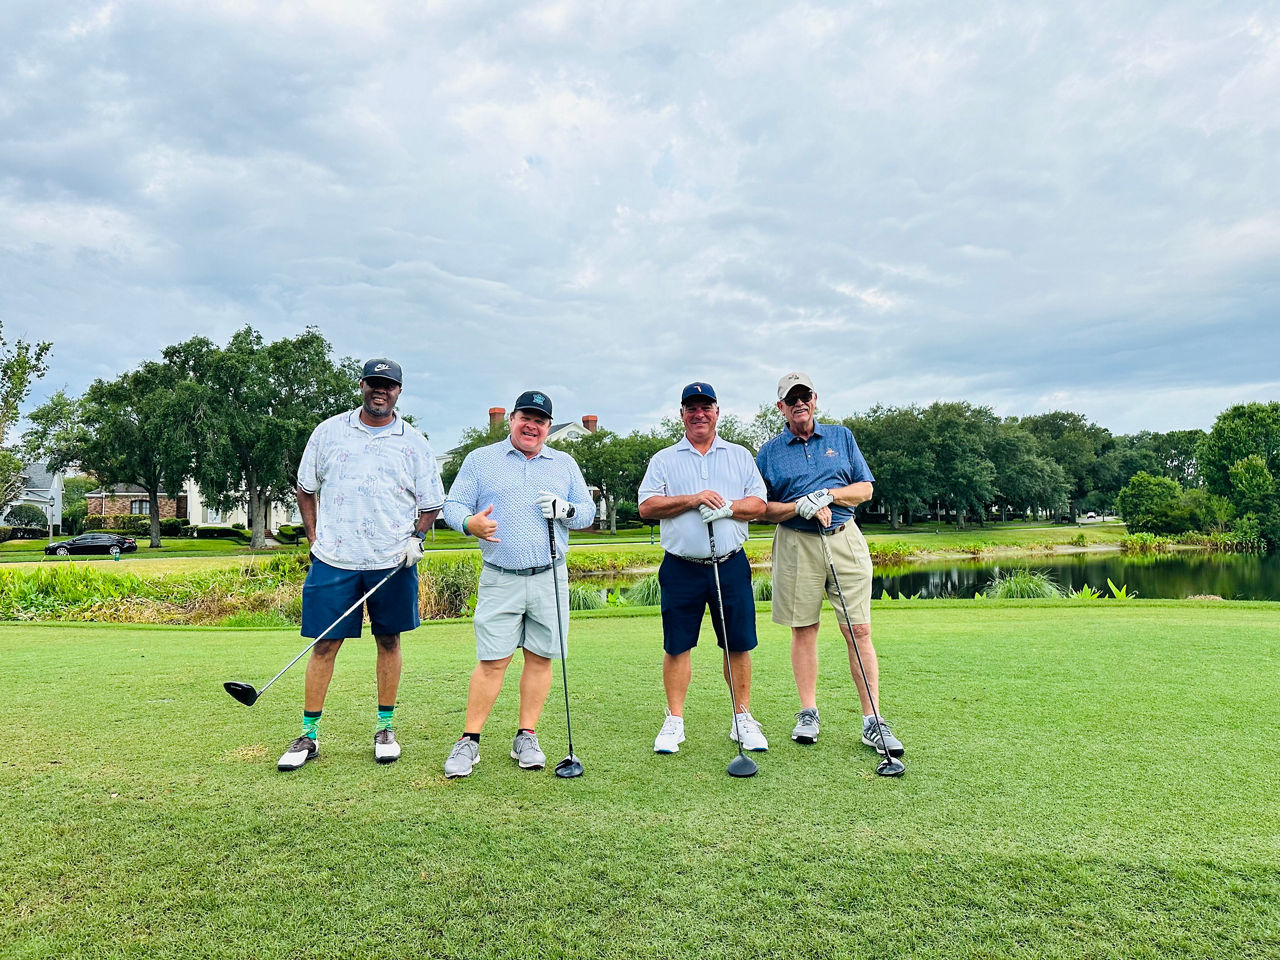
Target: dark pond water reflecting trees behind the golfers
column 1169, row 575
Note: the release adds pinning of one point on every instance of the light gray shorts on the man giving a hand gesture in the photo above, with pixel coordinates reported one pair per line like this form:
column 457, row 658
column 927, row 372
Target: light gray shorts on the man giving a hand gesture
column 515, row 612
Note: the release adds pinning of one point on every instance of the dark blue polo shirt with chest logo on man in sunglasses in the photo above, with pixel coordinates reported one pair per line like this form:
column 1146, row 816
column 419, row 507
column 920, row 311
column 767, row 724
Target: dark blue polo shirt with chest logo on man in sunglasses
column 793, row 468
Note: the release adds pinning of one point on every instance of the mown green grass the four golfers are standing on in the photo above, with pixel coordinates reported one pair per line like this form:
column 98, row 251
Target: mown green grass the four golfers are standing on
column 1084, row 781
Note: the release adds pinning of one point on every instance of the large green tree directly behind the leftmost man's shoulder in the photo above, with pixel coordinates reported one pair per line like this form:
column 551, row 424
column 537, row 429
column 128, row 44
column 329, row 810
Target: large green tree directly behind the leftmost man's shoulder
column 255, row 408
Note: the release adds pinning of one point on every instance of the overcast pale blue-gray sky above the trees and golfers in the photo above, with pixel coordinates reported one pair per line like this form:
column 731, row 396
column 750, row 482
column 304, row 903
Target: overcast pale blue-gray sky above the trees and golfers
column 1026, row 205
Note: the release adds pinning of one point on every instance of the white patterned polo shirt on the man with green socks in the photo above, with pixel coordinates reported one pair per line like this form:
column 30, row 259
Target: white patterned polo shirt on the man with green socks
column 372, row 487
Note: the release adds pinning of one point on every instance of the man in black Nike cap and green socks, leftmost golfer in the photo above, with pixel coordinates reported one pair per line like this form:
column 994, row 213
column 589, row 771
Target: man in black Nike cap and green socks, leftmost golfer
column 368, row 491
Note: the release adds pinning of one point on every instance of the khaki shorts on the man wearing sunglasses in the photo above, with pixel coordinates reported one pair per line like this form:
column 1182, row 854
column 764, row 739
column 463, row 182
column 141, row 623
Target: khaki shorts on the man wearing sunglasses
column 802, row 577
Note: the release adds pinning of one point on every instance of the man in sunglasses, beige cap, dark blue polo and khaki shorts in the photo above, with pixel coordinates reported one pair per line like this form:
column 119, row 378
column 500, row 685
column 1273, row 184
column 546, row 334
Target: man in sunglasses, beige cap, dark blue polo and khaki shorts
column 816, row 477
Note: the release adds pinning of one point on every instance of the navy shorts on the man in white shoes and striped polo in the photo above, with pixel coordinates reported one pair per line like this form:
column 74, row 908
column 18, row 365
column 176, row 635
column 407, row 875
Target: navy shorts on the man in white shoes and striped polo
column 689, row 589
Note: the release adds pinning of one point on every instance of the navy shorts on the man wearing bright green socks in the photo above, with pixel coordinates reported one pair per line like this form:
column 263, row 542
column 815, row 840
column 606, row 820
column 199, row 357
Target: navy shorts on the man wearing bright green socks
column 330, row 591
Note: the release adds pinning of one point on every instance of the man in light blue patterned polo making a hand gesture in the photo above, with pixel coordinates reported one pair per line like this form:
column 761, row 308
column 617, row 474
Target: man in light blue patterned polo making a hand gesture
column 505, row 495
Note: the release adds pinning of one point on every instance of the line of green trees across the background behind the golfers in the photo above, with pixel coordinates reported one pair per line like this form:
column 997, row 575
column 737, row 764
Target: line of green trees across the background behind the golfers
column 237, row 418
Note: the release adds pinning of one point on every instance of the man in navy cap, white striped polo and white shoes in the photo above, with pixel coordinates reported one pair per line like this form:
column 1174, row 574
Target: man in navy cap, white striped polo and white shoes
column 703, row 479
